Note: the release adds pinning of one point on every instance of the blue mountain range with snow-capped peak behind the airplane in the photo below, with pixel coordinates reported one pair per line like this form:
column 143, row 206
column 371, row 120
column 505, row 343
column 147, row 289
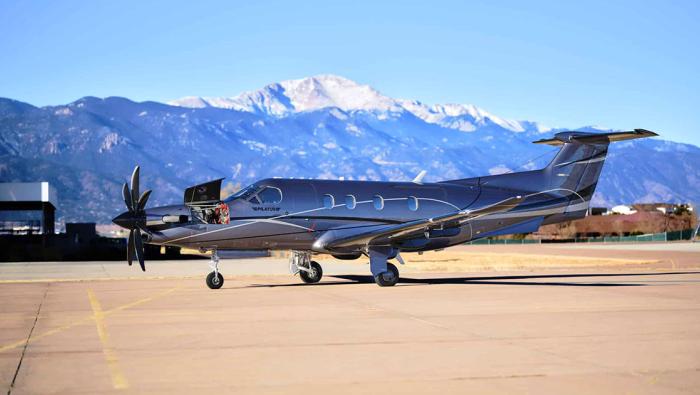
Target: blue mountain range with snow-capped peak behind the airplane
column 318, row 127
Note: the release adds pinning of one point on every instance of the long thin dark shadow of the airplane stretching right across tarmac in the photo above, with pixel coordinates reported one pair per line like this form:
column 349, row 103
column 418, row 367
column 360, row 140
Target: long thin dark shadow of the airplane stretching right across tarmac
column 550, row 279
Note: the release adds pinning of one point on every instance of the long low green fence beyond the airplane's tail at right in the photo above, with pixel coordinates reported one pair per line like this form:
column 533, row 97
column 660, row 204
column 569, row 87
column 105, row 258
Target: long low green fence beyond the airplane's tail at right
column 686, row 234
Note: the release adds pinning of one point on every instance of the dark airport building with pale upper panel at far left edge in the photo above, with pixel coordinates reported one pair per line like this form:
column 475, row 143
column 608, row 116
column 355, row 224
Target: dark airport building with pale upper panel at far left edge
column 27, row 208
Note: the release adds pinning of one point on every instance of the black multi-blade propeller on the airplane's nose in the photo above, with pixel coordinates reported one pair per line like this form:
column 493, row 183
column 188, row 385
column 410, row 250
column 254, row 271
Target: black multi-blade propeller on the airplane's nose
column 134, row 219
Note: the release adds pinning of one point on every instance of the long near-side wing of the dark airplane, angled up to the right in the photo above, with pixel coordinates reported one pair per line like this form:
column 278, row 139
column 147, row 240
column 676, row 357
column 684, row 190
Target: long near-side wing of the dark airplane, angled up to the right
column 394, row 232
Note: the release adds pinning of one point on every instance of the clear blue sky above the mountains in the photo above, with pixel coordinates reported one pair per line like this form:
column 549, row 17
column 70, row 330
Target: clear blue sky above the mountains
column 621, row 64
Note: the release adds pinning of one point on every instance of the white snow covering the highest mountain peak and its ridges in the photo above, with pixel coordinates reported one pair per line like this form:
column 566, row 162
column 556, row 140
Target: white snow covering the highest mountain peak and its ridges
column 324, row 91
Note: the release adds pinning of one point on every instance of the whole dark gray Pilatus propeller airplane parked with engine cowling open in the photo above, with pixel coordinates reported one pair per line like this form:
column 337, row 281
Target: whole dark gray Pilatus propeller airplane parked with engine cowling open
column 350, row 219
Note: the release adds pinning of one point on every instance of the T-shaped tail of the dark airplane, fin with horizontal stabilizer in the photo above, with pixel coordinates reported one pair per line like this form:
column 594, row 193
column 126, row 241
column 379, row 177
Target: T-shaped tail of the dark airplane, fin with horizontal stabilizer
column 578, row 164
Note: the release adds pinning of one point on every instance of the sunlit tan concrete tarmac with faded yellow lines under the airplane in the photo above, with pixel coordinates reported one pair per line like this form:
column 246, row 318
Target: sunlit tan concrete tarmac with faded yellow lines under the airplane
column 104, row 327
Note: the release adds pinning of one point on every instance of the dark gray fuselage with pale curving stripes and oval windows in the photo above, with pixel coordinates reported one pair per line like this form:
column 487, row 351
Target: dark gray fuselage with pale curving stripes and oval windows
column 301, row 217
